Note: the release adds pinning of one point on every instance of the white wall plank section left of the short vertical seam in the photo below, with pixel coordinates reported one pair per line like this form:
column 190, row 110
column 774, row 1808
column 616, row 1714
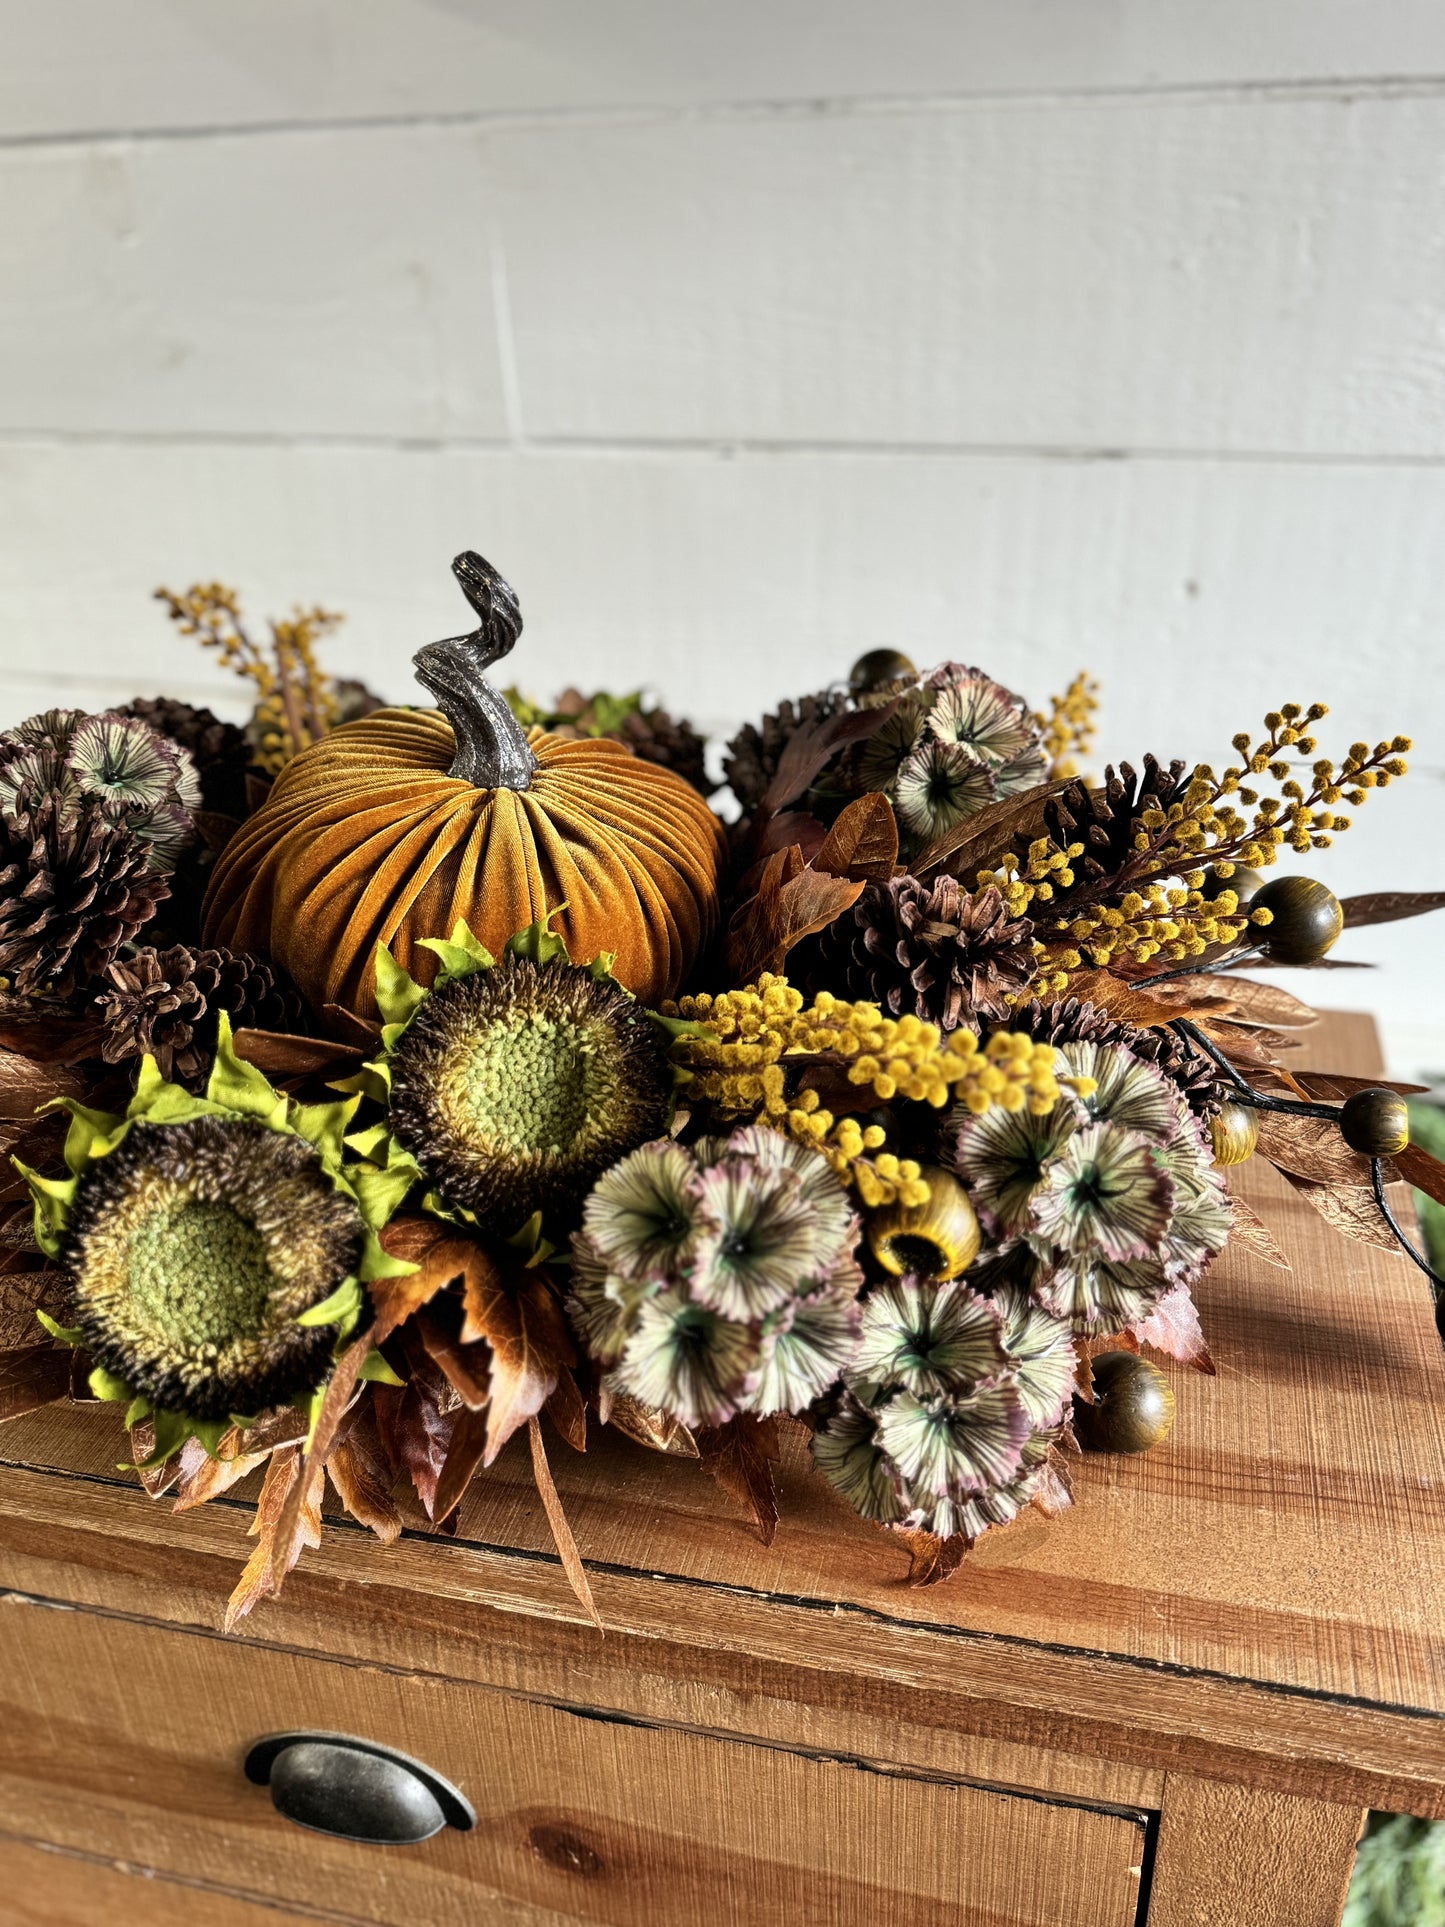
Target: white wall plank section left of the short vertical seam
column 278, row 286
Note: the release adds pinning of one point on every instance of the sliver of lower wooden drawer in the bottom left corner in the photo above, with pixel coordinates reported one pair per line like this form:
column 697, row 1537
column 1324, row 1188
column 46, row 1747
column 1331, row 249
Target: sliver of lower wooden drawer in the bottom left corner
column 47, row 1886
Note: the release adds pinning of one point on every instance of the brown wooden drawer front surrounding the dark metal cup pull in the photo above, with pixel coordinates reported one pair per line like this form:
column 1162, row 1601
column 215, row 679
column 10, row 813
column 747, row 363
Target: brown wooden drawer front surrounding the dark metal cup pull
column 124, row 1739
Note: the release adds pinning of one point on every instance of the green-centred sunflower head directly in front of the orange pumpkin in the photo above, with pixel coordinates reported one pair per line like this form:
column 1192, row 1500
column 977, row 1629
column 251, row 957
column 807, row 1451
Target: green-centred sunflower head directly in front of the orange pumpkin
column 513, row 1084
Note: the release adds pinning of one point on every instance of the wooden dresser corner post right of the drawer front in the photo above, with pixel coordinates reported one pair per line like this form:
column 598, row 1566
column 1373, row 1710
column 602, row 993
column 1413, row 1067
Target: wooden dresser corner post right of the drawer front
column 1251, row 1861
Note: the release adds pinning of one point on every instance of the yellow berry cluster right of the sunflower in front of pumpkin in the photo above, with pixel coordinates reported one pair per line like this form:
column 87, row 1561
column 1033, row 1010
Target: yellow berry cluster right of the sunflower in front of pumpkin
column 737, row 1069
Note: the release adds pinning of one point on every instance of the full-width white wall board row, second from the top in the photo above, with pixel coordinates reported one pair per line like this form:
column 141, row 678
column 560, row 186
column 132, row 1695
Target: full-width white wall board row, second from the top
column 1255, row 277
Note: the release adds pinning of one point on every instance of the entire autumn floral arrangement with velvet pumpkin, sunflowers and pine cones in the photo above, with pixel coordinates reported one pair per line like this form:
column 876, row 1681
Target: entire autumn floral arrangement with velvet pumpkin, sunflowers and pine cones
column 382, row 1082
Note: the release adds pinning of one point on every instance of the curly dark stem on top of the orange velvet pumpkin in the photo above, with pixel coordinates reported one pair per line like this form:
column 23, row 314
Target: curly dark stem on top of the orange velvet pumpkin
column 492, row 749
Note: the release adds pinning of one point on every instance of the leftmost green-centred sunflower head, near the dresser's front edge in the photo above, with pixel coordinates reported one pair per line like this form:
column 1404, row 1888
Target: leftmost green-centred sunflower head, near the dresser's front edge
column 217, row 1246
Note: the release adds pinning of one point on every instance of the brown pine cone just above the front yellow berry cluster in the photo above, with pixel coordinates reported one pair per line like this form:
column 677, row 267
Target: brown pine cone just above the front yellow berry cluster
column 935, row 953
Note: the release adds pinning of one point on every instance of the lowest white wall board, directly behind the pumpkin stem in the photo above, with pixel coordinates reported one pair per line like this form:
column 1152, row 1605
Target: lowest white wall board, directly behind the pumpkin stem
column 1199, row 594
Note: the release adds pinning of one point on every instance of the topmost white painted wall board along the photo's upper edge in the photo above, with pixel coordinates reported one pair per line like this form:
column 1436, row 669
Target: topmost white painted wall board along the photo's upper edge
column 126, row 65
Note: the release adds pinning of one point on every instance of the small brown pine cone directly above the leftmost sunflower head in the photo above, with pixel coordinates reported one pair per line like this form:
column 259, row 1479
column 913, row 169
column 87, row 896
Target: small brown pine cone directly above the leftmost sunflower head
column 167, row 1003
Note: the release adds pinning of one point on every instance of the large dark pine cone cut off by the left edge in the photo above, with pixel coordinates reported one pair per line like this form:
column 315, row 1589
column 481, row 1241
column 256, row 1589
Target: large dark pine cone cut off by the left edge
column 74, row 887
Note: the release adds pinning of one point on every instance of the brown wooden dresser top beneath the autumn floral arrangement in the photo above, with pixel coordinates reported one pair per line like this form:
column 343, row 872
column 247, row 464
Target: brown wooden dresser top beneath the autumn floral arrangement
column 1255, row 1602
